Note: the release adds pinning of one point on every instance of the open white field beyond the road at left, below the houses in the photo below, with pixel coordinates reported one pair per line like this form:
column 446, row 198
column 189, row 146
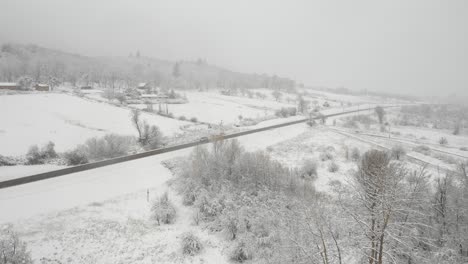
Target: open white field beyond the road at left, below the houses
column 28, row 119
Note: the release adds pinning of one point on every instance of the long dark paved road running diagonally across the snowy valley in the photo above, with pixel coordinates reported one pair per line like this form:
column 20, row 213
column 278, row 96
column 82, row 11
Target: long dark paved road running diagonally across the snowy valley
column 98, row 164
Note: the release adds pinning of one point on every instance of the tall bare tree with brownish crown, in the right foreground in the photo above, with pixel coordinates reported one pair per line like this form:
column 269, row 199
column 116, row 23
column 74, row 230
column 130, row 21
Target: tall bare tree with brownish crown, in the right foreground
column 388, row 208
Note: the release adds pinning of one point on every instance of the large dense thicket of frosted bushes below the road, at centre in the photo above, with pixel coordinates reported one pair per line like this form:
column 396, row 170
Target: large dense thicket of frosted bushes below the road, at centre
column 245, row 195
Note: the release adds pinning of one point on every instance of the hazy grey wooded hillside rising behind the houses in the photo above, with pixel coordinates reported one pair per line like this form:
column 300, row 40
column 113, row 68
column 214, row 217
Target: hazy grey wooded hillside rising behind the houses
column 44, row 65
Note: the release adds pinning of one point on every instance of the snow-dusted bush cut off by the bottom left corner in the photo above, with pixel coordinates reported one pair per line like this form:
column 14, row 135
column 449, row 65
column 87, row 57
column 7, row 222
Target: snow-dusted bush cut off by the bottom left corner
column 12, row 249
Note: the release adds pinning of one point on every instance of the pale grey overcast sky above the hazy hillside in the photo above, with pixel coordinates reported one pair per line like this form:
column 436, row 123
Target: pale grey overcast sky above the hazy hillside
column 399, row 46
